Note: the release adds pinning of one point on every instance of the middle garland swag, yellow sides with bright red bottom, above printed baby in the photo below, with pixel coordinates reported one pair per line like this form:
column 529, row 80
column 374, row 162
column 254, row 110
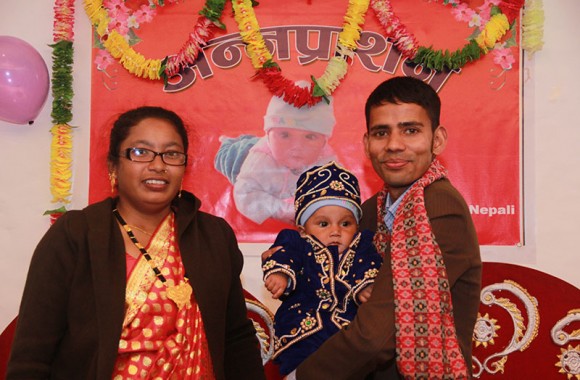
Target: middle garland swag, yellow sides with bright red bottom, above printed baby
column 269, row 71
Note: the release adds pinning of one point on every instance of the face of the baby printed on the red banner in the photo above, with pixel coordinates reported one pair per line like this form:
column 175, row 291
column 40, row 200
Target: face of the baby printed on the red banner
column 295, row 148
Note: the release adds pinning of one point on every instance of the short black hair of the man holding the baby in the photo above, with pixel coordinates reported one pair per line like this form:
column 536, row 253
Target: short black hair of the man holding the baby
column 399, row 90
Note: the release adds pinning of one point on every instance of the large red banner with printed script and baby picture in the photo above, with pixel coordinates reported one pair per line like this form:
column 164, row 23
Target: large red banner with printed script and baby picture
column 228, row 111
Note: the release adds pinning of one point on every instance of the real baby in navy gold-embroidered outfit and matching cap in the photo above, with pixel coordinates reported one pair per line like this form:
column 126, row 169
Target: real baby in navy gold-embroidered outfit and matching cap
column 324, row 270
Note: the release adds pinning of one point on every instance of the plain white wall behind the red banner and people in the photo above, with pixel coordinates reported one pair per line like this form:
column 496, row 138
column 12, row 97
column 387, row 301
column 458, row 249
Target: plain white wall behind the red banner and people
column 551, row 149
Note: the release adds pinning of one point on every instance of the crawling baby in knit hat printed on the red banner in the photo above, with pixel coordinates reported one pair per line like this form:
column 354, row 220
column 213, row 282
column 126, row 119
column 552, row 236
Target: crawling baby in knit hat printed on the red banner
column 264, row 169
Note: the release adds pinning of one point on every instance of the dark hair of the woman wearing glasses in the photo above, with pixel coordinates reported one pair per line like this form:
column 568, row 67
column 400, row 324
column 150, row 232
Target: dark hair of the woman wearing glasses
column 122, row 126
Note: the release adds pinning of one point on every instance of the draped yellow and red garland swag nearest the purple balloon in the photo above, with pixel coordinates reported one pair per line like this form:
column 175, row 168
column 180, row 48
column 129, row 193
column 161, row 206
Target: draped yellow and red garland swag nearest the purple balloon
column 134, row 62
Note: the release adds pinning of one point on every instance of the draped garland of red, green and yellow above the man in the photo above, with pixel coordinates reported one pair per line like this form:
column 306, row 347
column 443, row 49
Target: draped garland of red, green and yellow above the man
column 495, row 28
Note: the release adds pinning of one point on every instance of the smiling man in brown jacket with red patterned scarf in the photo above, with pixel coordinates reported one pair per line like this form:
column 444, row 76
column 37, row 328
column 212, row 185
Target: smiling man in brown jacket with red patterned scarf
column 419, row 320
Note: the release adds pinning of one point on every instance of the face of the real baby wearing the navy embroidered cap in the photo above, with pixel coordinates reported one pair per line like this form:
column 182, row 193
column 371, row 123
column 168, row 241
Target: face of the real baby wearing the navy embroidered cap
column 332, row 225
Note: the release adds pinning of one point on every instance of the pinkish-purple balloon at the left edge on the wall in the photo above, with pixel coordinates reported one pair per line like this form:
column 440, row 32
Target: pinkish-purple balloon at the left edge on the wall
column 24, row 81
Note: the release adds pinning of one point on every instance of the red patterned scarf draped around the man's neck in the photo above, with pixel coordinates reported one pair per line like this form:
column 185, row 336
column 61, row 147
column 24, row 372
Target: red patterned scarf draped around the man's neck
column 427, row 345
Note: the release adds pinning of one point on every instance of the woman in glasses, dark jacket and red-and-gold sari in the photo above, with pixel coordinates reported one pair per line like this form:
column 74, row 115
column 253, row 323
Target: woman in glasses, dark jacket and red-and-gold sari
column 140, row 286
